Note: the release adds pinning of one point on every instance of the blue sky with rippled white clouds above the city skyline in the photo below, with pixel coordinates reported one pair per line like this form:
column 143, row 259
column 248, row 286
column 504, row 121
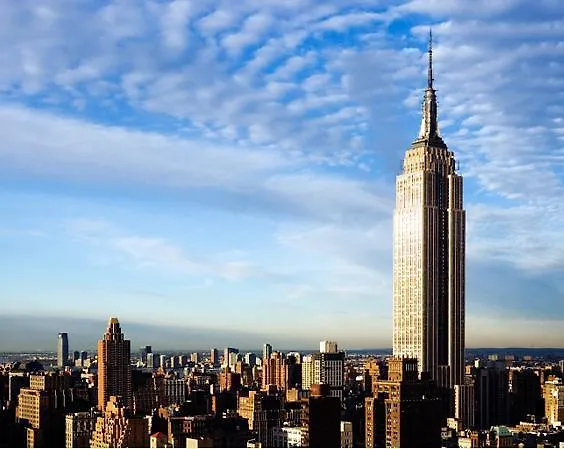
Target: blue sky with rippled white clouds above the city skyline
column 231, row 165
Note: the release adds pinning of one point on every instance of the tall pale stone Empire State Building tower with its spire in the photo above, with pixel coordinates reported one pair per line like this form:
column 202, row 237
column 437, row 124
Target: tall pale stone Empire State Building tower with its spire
column 429, row 248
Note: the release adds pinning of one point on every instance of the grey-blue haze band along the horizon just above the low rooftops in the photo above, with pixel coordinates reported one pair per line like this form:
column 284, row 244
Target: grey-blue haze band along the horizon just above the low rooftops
column 27, row 333
